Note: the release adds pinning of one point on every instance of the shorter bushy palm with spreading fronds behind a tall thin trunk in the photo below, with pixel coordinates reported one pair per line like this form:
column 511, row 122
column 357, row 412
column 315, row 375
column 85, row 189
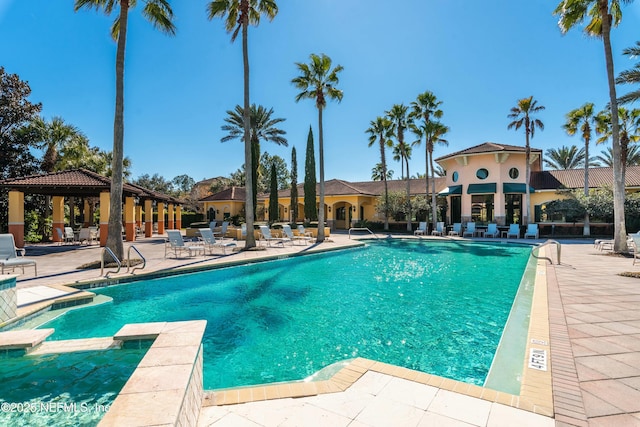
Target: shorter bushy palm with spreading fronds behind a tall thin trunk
column 263, row 127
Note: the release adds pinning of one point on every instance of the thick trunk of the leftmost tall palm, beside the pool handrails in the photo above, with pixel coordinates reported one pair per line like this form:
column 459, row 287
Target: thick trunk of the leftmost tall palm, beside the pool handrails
column 114, row 234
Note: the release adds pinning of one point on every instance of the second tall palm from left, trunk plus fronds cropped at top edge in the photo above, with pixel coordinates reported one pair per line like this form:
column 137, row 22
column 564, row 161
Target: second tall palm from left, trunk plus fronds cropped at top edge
column 239, row 14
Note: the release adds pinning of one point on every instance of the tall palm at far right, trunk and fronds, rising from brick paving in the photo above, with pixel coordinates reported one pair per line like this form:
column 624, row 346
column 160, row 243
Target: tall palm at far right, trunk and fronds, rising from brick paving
column 601, row 15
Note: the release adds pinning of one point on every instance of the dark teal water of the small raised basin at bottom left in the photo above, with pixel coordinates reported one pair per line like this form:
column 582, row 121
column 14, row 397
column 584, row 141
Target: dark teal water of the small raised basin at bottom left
column 67, row 389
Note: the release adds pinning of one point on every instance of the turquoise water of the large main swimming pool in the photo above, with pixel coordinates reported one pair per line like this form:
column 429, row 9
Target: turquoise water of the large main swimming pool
column 438, row 307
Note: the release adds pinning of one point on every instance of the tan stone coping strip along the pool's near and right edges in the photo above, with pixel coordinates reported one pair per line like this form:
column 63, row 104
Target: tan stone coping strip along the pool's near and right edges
column 536, row 394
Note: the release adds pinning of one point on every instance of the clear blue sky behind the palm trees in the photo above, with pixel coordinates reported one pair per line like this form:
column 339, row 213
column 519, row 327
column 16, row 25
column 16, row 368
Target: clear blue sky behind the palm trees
column 479, row 58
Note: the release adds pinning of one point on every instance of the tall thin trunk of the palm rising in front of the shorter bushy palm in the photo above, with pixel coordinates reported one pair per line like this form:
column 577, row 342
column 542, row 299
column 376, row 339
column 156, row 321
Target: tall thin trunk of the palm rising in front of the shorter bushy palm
column 248, row 168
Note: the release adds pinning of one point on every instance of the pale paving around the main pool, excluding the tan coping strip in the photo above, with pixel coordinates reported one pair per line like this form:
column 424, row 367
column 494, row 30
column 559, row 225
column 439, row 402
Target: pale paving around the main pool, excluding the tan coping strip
column 595, row 350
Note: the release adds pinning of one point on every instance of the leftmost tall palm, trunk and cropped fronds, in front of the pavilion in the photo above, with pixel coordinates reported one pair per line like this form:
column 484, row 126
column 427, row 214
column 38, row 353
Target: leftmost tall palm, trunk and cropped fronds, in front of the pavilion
column 159, row 13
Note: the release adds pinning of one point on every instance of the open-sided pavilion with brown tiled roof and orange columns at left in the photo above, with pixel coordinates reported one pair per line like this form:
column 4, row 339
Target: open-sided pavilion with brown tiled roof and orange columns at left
column 86, row 184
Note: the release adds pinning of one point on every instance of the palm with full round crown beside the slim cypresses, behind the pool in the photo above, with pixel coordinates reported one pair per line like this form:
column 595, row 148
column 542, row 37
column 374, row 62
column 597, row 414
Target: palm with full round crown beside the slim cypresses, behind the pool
column 318, row 81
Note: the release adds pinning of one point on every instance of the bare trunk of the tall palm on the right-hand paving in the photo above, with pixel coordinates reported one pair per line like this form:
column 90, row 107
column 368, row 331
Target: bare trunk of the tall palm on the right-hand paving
column 620, row 229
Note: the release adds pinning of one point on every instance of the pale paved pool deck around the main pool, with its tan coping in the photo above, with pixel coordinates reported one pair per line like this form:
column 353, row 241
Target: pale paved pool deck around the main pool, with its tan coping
column 587, row 313
